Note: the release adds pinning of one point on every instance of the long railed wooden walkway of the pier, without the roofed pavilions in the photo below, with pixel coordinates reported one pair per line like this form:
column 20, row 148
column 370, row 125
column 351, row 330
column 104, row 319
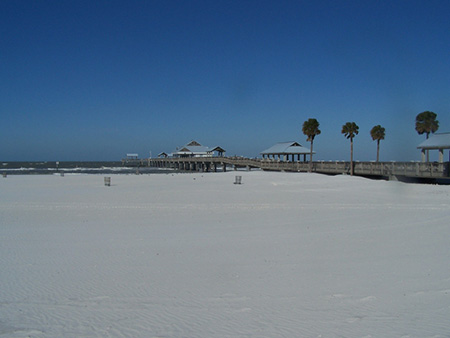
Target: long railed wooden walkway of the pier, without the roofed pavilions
column 380, row 169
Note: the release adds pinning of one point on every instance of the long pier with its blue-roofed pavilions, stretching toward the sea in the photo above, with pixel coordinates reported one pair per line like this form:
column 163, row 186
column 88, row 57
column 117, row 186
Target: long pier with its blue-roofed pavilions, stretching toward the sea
column 286, row 156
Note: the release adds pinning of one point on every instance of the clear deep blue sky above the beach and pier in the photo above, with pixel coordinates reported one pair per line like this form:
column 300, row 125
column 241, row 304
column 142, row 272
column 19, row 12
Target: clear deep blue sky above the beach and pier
column 94, row 80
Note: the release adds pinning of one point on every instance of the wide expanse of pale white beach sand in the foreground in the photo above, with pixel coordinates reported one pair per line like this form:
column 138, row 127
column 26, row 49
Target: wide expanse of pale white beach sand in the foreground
column 194, row 255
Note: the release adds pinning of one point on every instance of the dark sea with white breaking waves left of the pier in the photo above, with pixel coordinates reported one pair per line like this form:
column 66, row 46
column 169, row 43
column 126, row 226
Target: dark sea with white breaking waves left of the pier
column 75, row 167
